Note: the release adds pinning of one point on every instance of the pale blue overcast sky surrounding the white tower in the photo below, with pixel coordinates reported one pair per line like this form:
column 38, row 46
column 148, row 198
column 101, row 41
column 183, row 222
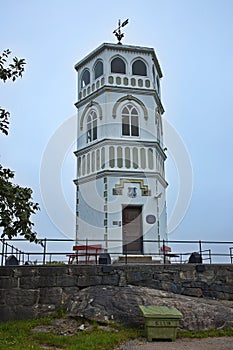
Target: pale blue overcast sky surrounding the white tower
column 193, row 42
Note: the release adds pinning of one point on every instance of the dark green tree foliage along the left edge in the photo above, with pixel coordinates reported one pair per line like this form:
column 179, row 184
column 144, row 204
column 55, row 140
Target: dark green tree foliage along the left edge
column 16, row 204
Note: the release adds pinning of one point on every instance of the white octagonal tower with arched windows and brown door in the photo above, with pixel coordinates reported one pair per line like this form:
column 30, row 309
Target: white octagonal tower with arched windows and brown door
column 121, row 200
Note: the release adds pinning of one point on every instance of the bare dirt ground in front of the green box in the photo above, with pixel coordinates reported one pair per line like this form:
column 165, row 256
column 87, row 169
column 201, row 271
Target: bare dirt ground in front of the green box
column 223, row 343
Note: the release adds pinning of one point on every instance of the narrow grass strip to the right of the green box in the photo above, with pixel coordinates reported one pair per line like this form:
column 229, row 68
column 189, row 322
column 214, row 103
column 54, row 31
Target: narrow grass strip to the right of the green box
column 228, row 332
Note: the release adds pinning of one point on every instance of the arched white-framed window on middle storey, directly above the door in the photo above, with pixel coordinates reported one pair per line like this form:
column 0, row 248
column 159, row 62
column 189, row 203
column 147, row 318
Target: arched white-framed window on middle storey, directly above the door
column 130, row 121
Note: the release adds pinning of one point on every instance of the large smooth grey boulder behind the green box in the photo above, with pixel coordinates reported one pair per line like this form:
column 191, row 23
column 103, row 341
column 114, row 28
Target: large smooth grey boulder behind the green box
column 120, row 304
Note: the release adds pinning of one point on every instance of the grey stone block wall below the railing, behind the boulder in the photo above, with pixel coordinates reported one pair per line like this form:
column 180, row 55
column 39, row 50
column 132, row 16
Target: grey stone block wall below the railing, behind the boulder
column 35, row 291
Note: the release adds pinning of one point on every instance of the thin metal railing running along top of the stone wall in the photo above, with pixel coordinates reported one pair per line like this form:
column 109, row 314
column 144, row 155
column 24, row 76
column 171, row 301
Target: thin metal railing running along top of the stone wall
column 56, row 251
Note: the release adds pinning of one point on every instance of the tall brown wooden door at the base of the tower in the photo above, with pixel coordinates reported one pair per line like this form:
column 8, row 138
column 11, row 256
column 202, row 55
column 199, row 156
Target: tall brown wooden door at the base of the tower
column 132, row 230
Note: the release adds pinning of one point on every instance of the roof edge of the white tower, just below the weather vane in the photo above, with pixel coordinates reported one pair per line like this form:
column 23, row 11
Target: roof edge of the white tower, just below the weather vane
column 129, row 48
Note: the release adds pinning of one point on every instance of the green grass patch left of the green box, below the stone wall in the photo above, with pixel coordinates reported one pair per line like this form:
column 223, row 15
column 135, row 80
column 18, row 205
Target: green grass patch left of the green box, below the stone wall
column 18, row 335
